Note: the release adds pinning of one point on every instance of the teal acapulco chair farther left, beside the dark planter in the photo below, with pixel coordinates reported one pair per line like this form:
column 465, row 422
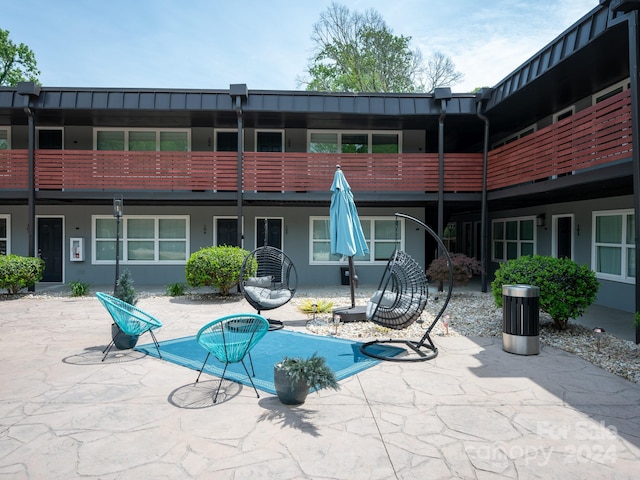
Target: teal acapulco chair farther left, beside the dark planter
column 129, row 319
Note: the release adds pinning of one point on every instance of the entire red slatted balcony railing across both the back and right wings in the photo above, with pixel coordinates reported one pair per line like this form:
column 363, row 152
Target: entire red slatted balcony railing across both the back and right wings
column 594, row 137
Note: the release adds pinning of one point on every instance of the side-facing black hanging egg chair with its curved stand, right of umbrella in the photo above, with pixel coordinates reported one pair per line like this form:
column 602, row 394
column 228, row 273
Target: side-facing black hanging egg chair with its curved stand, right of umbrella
column 400, row 300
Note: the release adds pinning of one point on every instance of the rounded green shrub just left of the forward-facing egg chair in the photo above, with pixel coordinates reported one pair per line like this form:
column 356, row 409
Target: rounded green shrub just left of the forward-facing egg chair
column 217, row 267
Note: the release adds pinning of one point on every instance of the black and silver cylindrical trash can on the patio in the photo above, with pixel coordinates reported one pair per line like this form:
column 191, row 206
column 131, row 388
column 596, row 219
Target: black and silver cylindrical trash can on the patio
column 521, row 319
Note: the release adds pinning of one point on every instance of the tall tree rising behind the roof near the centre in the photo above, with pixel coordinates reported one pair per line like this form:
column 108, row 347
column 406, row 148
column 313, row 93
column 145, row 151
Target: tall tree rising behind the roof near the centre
column 358, row 52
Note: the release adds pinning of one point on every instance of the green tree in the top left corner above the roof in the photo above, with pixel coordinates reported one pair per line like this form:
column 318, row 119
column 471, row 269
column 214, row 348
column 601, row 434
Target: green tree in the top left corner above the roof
column 17, row 62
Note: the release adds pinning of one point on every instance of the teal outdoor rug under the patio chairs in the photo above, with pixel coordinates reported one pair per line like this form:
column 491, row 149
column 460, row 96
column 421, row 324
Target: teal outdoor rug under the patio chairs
column 342, row 355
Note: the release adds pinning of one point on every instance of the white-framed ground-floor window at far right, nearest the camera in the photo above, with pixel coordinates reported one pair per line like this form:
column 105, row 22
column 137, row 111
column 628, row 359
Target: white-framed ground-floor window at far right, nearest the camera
column 614, row 241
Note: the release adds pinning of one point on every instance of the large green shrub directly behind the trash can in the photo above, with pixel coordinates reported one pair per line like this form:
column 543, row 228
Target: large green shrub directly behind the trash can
column 566, row 288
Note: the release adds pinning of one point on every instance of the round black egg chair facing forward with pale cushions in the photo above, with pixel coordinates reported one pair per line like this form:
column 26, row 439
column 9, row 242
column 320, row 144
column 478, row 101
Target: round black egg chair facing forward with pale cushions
column 268, row 280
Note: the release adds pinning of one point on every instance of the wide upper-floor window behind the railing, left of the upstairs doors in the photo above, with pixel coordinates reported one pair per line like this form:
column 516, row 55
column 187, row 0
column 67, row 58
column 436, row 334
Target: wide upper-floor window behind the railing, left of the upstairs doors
column 142, row 139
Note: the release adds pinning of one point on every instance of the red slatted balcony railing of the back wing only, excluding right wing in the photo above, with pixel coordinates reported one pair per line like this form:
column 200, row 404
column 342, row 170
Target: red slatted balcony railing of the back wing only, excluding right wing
column 70, row 170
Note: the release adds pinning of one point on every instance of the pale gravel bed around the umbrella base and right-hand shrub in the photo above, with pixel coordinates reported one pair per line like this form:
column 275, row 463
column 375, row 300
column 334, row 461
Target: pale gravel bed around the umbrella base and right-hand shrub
column 475, row 314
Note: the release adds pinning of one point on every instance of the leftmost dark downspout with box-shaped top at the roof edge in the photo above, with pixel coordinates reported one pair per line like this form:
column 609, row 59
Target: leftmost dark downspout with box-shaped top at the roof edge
column 30, row 91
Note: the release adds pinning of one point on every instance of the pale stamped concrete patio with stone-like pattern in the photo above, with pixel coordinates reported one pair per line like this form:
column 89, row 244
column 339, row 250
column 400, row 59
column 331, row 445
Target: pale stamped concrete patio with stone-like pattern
column 473, row 412
